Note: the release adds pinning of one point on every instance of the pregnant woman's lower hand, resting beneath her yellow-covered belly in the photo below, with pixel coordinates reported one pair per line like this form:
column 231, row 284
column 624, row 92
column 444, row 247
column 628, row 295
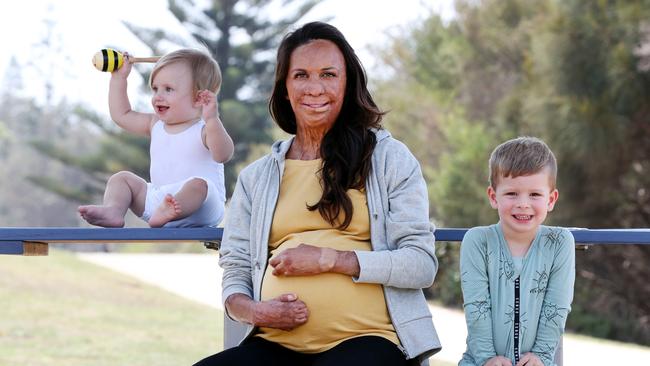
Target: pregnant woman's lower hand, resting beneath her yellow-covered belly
column 284, row 312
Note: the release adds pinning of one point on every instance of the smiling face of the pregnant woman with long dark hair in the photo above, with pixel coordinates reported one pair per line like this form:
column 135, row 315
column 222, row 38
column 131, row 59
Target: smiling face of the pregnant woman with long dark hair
column 316, row 84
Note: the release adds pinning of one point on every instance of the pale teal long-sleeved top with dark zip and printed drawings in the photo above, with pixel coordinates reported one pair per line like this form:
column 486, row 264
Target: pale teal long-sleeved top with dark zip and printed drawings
column 488, row 274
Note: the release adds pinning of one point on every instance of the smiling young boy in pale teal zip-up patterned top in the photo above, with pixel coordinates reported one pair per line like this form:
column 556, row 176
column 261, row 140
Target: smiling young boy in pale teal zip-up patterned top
column 517, row 275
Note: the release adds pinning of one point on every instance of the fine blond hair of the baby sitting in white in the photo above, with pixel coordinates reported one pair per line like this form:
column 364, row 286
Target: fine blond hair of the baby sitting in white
column 205, row 70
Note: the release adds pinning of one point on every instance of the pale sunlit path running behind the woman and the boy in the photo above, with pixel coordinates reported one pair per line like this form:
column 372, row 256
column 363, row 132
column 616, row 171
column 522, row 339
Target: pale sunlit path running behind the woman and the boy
column 198, row 278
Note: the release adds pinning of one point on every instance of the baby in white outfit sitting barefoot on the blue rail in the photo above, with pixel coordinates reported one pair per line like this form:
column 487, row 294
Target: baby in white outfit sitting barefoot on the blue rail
column 188, row 147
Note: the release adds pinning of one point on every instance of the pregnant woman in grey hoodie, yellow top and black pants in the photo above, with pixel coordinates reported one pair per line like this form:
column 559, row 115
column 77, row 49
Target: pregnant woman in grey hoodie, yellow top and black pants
column 328, row 243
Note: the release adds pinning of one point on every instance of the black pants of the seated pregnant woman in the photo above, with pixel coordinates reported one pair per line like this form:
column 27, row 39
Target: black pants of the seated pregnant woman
column 368, row 350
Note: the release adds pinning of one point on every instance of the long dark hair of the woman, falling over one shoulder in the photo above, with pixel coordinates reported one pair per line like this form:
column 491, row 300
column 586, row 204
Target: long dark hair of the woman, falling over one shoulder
column 346, row 149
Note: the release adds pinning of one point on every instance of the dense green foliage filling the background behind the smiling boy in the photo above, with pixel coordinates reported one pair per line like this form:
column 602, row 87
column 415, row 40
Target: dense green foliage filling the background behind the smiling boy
column 575, row 73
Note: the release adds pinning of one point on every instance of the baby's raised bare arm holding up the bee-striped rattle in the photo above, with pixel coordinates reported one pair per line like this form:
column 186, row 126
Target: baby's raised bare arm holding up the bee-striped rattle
column 120, row 107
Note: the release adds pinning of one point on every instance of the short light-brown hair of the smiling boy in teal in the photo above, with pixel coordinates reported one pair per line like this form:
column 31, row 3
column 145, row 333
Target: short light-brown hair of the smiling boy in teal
column 520, row 157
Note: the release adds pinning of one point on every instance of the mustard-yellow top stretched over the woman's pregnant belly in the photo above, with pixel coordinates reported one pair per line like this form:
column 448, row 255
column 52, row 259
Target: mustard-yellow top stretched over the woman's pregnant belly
column 339, row 308
